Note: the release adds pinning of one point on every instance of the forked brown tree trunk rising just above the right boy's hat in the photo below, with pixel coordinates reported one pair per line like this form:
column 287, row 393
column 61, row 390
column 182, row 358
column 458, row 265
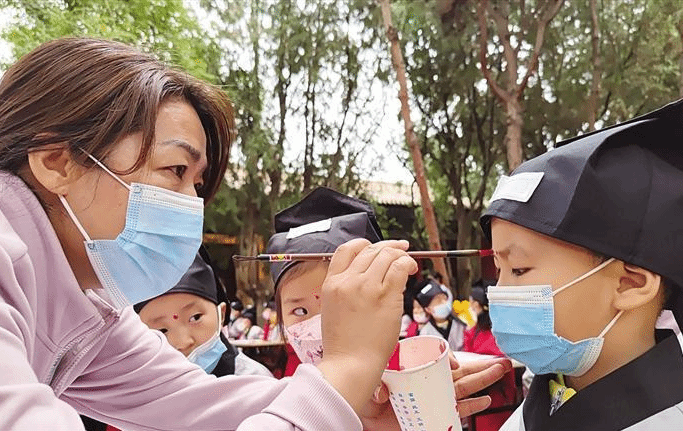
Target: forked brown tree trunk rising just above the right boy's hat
column 510, row 93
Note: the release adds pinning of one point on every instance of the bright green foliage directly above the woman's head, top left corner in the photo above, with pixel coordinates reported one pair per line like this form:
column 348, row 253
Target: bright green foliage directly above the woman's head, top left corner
column 161, row 26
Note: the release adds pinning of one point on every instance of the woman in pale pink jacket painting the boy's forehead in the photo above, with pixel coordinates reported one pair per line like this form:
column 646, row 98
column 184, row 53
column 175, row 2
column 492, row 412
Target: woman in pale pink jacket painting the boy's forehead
column 96, row 137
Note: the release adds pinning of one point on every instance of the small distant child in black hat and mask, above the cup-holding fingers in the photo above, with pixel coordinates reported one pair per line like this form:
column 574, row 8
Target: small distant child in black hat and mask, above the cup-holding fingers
column 441, row 321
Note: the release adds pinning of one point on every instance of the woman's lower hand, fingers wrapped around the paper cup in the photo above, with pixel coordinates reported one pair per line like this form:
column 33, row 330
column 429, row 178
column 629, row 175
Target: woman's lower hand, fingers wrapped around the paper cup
column 469, row 378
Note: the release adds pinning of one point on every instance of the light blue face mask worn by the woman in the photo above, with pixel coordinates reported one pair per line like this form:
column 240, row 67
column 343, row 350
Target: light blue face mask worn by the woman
column 161, row 237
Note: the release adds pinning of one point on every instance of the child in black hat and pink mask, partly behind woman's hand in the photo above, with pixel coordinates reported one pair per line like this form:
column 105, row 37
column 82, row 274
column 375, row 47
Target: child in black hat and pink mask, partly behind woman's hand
column 320, row 223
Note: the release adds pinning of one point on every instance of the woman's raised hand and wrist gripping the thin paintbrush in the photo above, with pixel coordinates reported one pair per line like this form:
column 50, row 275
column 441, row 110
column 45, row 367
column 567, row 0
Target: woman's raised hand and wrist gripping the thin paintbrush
column 362, row 304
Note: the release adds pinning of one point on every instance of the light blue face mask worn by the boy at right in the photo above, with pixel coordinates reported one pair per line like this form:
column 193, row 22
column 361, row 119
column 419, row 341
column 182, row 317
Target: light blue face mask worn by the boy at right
column 523, row 323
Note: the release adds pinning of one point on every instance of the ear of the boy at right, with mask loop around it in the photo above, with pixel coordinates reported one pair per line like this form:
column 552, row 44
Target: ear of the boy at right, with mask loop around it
column 637, row 287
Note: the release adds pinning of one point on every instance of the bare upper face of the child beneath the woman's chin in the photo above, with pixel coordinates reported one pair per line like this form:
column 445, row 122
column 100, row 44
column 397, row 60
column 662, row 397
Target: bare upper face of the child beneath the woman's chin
column 187, row 320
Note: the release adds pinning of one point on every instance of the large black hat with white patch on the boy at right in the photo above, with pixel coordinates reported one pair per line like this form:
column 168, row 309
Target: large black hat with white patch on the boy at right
column 617, row 192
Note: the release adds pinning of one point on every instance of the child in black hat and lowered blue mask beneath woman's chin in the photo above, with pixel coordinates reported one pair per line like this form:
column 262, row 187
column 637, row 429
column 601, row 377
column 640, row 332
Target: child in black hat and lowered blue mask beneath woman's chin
column 191, row 318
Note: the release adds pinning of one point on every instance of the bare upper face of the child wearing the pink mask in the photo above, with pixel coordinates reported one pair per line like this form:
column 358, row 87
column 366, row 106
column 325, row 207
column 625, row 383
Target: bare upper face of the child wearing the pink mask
column 300, row 295
